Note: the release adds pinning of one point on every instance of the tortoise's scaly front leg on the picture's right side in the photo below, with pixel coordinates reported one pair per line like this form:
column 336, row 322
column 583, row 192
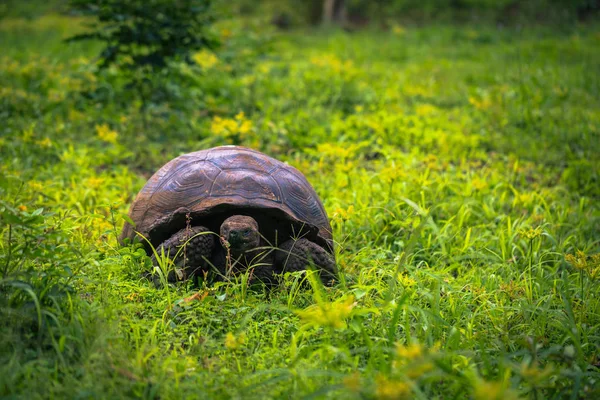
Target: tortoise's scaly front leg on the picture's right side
column 297, row 255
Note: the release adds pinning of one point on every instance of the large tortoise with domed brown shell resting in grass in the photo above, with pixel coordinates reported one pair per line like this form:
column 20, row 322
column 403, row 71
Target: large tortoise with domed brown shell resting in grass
column 268, row 217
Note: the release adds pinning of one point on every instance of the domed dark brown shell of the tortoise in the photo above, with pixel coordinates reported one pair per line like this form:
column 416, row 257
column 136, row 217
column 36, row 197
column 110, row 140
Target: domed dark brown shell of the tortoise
column 206, row 186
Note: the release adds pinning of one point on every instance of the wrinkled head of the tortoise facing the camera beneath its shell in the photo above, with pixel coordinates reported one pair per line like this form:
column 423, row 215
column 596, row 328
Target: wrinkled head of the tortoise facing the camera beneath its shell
column 241, row 232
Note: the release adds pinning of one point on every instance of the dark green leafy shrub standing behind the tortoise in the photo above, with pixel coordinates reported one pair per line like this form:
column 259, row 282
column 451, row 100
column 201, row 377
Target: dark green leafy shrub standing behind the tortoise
column 142, row 37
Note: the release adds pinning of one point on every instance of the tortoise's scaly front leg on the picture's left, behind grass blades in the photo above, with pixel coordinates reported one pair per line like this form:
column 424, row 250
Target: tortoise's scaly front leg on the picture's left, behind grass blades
column 188, row 249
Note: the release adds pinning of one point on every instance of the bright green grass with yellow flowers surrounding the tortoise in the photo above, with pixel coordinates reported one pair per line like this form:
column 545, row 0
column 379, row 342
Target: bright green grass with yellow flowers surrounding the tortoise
column 459, row 167
